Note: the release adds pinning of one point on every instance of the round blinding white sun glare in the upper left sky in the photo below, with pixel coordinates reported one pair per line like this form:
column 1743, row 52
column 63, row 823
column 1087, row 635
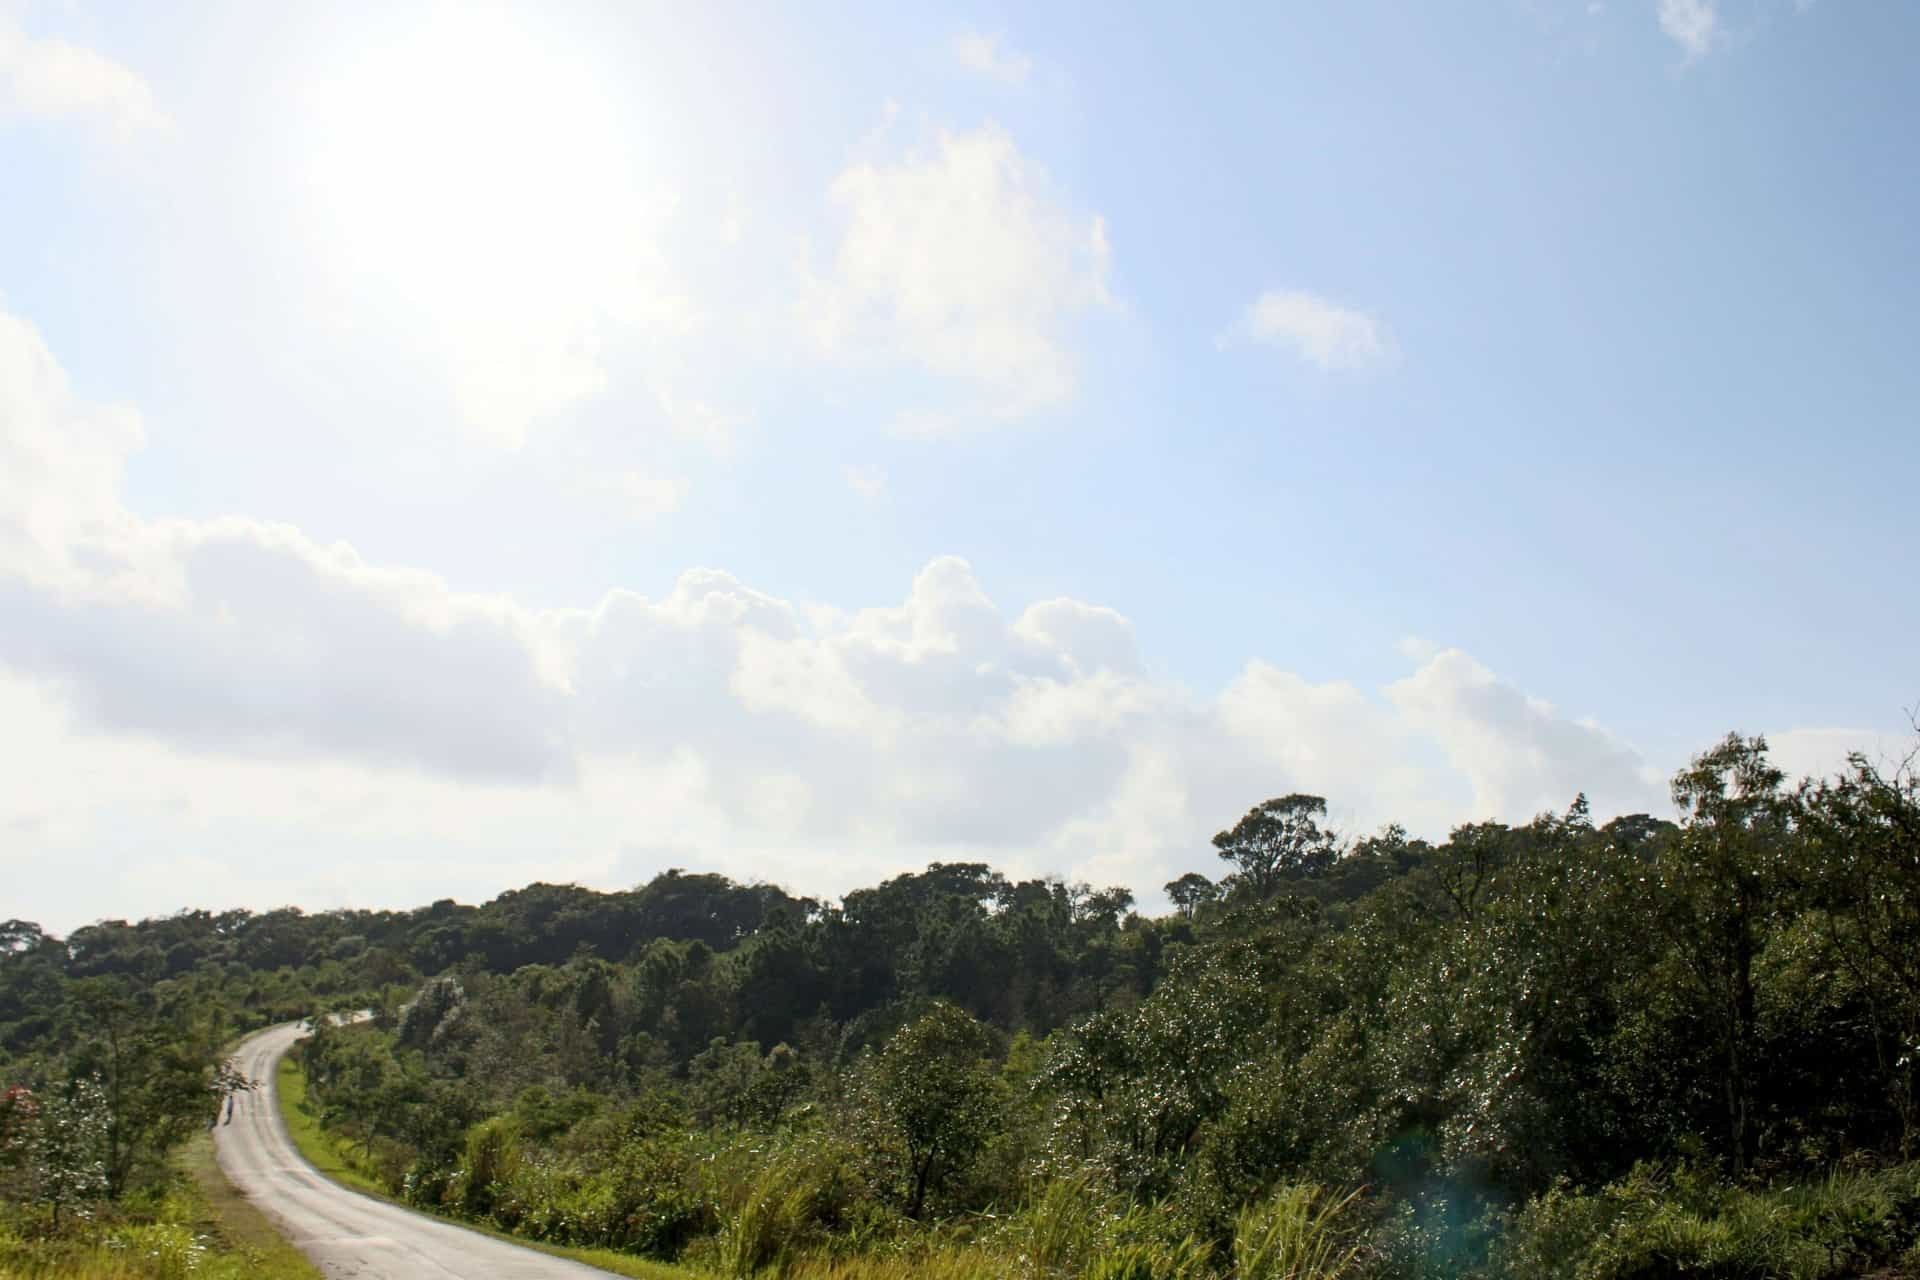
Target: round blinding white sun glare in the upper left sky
column 473, row 170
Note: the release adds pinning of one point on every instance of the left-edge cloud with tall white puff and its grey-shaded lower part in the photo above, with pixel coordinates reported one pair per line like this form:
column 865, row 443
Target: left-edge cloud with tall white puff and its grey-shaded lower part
column 235, row 634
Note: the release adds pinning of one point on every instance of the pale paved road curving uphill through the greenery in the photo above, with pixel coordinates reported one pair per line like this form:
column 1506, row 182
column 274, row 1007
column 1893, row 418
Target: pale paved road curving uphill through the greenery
column 347, row 1233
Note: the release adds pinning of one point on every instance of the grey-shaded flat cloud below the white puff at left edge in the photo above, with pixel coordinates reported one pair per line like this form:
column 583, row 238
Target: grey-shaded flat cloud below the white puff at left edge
column 283, row 648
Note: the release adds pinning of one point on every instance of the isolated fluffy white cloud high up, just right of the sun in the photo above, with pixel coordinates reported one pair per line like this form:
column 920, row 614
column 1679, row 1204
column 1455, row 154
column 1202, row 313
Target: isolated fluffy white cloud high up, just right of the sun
column 963, row 262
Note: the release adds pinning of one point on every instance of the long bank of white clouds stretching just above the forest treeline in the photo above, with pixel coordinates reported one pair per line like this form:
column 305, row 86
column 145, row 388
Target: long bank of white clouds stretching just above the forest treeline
column 324, row 730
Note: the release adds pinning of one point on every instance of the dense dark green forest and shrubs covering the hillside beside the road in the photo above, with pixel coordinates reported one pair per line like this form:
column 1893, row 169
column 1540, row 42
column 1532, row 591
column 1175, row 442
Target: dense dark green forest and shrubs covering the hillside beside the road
column 1562, row 1049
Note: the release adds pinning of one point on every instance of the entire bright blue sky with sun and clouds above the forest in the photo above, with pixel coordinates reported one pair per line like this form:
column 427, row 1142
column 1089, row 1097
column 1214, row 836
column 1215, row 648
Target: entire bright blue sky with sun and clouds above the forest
column 454, row 446
